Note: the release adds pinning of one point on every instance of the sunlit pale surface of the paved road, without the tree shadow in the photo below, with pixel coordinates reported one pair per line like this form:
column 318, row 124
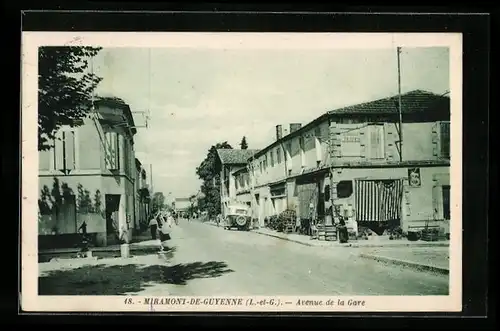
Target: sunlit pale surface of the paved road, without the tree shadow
column 262, row 265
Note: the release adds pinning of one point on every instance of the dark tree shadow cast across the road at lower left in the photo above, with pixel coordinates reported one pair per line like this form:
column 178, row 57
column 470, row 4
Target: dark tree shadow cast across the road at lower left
column 121, row 279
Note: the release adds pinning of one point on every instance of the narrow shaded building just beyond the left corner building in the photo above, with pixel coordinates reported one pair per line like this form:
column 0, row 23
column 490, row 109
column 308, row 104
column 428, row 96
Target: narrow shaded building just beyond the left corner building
column 143, row 196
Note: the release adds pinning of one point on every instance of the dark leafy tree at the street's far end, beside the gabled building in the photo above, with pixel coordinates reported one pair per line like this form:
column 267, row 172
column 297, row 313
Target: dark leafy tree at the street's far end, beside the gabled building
column 209, row 172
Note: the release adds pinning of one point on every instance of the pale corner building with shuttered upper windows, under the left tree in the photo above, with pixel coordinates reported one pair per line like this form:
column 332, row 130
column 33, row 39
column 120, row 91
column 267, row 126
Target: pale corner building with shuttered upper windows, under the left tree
column 88, row 176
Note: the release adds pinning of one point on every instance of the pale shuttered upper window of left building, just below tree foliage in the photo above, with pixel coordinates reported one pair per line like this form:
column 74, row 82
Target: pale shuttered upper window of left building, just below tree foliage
column 64, row 151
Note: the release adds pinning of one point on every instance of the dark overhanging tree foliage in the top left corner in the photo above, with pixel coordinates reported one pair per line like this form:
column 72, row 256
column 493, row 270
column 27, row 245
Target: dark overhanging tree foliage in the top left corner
column 64, row 89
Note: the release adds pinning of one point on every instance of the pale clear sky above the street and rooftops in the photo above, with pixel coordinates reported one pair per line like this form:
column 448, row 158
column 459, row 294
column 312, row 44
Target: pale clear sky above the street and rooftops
column 198, row 97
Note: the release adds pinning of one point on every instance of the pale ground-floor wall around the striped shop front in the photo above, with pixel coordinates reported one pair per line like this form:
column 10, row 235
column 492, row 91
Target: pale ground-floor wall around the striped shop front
column 419, row 203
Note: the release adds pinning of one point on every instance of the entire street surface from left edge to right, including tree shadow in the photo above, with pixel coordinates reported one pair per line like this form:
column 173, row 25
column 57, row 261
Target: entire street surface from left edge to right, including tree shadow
column 207, row 260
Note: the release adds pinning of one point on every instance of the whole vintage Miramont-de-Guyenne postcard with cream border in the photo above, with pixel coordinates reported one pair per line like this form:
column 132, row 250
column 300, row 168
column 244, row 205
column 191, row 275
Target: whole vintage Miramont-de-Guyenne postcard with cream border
column 235, row 172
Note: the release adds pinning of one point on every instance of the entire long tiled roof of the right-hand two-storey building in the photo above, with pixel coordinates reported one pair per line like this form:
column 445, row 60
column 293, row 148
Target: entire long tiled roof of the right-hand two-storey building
column 413, row 102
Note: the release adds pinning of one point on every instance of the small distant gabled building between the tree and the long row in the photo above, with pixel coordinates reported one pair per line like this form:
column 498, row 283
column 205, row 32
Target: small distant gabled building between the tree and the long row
column 233, row 164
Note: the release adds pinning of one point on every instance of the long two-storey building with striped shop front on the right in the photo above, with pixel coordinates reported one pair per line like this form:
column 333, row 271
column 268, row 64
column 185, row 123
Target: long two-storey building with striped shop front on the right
column 349, row 162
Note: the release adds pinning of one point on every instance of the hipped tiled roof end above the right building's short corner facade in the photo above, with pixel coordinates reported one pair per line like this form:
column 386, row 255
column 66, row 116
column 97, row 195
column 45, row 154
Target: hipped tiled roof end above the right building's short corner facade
column 412, row 102
